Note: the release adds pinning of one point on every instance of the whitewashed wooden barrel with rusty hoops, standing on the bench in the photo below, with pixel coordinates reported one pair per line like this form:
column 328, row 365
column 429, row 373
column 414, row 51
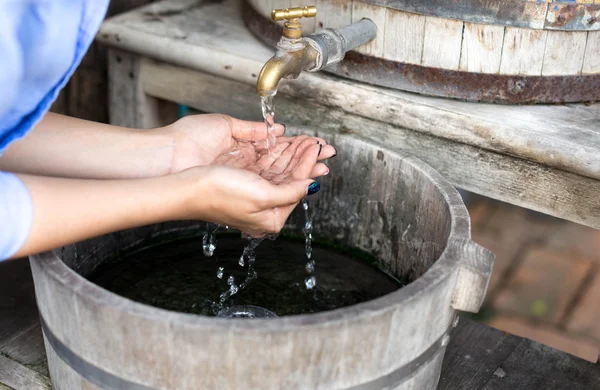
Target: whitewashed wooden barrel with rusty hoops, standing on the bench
column 504, row 51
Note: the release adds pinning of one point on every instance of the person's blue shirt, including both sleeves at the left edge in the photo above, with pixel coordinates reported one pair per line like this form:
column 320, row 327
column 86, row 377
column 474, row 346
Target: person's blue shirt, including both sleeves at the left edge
column 41, row 44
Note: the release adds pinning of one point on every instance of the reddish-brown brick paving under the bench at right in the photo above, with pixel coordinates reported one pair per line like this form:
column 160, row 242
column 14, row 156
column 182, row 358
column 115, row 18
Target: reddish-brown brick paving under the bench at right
column 546, row 280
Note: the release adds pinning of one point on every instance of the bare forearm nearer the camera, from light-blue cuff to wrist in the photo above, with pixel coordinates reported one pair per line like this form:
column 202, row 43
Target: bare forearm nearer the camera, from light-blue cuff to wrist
column 70, row 210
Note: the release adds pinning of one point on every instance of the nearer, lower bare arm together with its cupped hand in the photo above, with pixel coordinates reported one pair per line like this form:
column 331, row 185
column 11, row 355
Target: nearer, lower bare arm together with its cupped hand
column 69, row 210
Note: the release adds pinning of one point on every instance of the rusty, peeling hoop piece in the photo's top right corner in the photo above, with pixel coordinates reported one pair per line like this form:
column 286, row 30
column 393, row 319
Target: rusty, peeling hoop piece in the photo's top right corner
column 573, row 17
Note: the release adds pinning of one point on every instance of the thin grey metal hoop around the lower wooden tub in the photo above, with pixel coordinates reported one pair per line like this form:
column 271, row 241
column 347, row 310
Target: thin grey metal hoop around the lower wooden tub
column 103, row 379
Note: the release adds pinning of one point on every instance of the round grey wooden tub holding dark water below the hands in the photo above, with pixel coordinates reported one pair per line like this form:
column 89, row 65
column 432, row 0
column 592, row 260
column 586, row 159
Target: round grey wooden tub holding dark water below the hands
column 375, row 199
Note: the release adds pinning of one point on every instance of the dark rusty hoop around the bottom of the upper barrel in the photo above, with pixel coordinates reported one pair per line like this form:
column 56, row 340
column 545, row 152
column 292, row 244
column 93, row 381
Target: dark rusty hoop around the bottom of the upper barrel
column 445, row 83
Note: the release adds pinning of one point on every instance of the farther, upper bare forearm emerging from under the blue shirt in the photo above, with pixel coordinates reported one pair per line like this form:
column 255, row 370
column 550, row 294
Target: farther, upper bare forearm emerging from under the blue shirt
column 63, row 146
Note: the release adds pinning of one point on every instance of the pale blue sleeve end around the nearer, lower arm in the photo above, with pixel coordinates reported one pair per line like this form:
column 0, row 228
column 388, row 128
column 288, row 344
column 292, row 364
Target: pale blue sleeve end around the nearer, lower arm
column 16, row 214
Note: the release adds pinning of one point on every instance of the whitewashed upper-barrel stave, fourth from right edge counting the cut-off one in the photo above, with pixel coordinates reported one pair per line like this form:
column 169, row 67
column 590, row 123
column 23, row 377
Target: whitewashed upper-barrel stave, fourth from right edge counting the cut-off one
column 481, row 48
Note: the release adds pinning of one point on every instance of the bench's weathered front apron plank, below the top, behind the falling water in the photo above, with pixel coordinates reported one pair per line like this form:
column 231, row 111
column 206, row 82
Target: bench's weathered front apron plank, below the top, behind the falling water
column 509, row 179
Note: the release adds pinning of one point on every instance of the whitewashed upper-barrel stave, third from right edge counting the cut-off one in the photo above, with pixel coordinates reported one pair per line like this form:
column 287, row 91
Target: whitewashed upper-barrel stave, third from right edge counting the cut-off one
column 523, row 51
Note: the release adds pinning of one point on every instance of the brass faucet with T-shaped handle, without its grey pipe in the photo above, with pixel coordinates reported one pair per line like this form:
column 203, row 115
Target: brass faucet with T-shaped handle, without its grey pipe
column 293, row 53
